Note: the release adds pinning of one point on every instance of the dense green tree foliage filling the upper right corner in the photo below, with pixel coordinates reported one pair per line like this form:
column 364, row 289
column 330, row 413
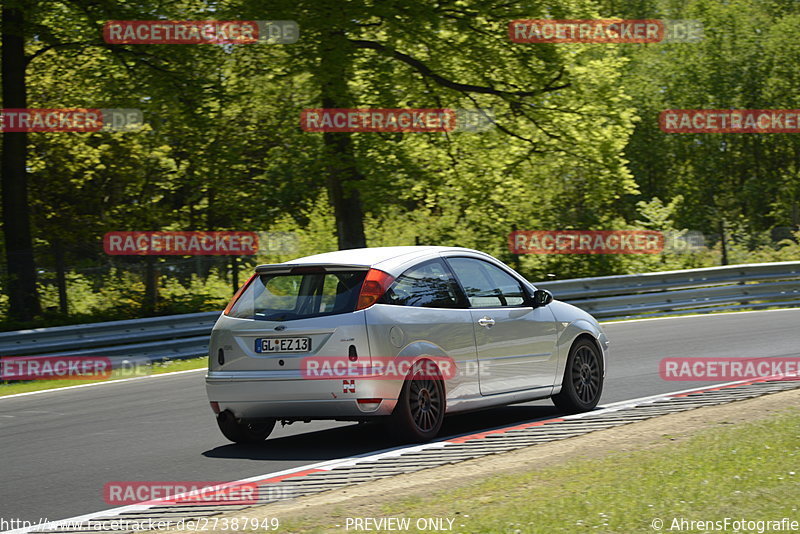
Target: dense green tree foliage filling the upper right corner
column 742, row 63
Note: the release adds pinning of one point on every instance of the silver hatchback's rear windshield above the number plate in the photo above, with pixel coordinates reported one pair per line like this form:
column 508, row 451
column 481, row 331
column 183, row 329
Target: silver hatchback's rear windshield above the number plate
column 284, row 297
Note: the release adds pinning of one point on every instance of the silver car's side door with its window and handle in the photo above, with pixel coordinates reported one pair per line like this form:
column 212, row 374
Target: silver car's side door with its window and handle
column 515, row 341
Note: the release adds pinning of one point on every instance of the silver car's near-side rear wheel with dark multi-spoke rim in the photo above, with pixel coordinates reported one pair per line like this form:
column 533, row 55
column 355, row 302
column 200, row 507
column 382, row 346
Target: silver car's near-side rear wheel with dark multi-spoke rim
column 420, row 409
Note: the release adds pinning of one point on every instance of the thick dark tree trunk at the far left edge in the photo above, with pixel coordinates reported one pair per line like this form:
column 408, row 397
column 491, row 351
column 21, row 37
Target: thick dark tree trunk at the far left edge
column 21, row 283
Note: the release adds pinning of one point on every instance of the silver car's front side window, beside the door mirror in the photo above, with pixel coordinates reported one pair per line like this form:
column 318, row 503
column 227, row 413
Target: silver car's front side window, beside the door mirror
column 486, row 285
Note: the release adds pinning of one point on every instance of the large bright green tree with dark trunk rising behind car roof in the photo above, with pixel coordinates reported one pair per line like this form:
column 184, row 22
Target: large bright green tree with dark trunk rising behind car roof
column 551, row 102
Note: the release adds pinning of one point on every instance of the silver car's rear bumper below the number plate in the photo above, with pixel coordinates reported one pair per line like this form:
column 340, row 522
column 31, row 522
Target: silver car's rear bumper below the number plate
column 252, row 394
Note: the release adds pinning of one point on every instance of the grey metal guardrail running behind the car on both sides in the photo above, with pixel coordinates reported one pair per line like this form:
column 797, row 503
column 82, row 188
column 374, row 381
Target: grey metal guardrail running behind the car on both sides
column 751, row 286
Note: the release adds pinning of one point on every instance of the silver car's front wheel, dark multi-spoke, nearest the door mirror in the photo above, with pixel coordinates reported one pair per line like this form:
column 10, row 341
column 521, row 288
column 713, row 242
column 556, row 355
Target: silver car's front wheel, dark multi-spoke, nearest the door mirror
column 583, row 378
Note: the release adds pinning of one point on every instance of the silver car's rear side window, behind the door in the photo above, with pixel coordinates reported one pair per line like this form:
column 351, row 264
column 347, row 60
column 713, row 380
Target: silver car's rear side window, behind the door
column 428, row 285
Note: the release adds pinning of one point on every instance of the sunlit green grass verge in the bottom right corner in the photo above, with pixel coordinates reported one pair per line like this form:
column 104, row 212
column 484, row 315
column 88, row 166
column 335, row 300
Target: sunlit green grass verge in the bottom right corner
column 747, row 471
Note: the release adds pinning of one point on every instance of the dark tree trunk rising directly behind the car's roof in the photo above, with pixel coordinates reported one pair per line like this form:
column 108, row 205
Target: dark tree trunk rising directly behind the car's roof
column 342, row 172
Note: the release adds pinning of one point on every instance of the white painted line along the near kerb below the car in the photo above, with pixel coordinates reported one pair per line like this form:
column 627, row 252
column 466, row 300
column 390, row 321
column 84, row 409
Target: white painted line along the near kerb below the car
column 371, row 457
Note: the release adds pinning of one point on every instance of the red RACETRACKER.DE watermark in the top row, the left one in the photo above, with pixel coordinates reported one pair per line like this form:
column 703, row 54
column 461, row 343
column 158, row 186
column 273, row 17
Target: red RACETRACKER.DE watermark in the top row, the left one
column 201, row 31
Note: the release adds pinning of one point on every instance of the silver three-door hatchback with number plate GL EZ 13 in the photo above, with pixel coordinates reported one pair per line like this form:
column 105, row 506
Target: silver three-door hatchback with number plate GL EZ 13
column 405, row 334
